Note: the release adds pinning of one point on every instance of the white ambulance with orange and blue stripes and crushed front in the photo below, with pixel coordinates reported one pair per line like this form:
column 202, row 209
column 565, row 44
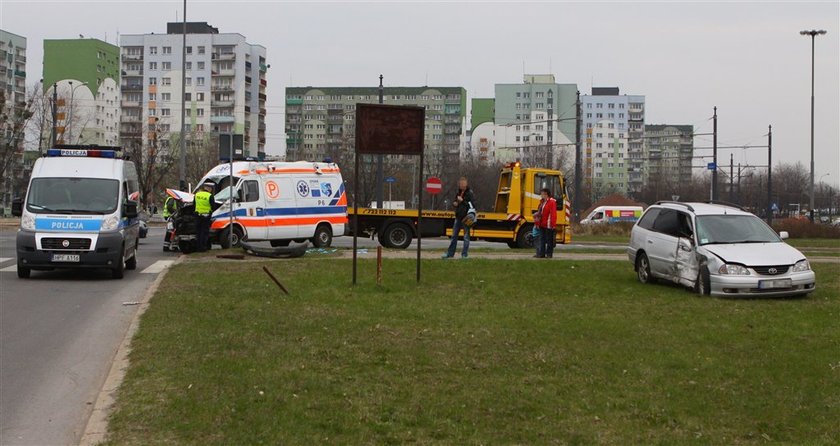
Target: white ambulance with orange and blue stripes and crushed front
column 279, row 202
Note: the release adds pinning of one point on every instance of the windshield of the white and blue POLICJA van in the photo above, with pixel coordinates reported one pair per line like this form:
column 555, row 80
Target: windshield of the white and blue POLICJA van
column 73, row 196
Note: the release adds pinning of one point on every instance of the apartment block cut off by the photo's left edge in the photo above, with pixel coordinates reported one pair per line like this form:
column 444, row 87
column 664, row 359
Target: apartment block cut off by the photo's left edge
column 13, row 86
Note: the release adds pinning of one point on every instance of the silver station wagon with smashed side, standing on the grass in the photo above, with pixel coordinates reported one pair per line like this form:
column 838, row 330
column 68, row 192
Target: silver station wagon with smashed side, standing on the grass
column 716, row 249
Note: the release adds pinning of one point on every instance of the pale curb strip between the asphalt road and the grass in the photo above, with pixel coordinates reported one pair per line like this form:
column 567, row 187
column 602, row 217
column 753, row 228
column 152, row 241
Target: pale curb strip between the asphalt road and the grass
column 97, row 426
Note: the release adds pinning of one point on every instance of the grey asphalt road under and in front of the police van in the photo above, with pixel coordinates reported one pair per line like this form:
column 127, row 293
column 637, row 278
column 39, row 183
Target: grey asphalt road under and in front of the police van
column 59, row 332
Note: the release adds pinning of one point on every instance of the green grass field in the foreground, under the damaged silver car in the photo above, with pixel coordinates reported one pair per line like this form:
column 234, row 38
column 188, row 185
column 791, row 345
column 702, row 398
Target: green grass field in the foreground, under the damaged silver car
column 485, row 351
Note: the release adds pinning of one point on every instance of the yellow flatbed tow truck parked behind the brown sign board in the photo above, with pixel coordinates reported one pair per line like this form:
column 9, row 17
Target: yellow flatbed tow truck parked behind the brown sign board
column 511, row 220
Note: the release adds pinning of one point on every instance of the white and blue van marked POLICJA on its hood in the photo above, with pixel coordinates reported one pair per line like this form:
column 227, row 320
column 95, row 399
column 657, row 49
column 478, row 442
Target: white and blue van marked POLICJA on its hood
column 80, row 211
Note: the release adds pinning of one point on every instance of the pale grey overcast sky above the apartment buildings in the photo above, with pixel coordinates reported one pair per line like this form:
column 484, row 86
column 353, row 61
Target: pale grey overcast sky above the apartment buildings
column 746, row 58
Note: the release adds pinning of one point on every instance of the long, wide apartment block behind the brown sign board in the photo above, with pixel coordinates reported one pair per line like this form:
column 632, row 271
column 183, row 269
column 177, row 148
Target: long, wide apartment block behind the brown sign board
column 321, row 120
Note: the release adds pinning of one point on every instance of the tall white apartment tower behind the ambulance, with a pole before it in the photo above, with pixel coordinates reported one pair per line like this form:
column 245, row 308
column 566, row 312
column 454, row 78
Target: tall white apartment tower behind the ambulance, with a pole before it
column 225, row 87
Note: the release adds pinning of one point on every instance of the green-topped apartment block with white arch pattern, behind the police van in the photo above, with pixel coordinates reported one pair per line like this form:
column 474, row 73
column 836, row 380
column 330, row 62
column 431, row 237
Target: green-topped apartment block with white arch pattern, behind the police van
column 86, row 73
